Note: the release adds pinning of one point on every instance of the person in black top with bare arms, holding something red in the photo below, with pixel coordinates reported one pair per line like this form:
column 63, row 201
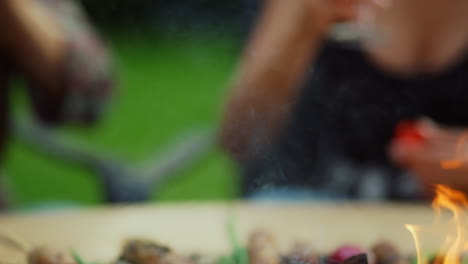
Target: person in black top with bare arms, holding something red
column 314, row 117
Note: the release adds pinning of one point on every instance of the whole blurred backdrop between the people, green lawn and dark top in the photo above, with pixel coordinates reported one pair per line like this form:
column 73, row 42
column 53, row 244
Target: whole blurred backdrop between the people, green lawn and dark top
column 174, row 59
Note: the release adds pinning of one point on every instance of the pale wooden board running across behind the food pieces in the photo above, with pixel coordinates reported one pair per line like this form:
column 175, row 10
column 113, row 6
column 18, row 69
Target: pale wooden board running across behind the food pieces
column 98, row 233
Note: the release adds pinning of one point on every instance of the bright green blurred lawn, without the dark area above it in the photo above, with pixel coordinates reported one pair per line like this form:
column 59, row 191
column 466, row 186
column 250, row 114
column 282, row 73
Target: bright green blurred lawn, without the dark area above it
column 168, row 84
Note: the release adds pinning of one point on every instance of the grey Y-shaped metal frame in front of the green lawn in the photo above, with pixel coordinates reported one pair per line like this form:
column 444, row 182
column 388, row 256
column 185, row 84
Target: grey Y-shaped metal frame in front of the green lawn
column 122, row 182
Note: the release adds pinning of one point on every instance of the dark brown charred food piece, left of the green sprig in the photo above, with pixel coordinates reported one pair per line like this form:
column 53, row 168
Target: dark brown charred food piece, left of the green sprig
column 148, row 252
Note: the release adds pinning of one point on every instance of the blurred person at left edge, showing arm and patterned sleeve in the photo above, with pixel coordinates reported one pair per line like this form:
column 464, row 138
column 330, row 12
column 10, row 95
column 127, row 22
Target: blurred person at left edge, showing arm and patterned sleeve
column 68, row 69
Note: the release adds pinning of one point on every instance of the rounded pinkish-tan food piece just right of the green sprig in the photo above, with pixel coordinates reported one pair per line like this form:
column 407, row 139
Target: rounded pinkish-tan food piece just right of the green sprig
column 262, row 249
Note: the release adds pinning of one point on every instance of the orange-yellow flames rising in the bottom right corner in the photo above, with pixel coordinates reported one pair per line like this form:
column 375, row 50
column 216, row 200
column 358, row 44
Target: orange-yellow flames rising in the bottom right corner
column 455, row 242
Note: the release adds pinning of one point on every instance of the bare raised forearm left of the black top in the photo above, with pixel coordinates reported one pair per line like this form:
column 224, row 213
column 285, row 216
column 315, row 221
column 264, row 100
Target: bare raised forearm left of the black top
column 272, row 69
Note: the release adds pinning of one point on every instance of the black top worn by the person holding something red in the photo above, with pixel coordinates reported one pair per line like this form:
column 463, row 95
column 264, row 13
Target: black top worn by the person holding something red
column 344, row 120
